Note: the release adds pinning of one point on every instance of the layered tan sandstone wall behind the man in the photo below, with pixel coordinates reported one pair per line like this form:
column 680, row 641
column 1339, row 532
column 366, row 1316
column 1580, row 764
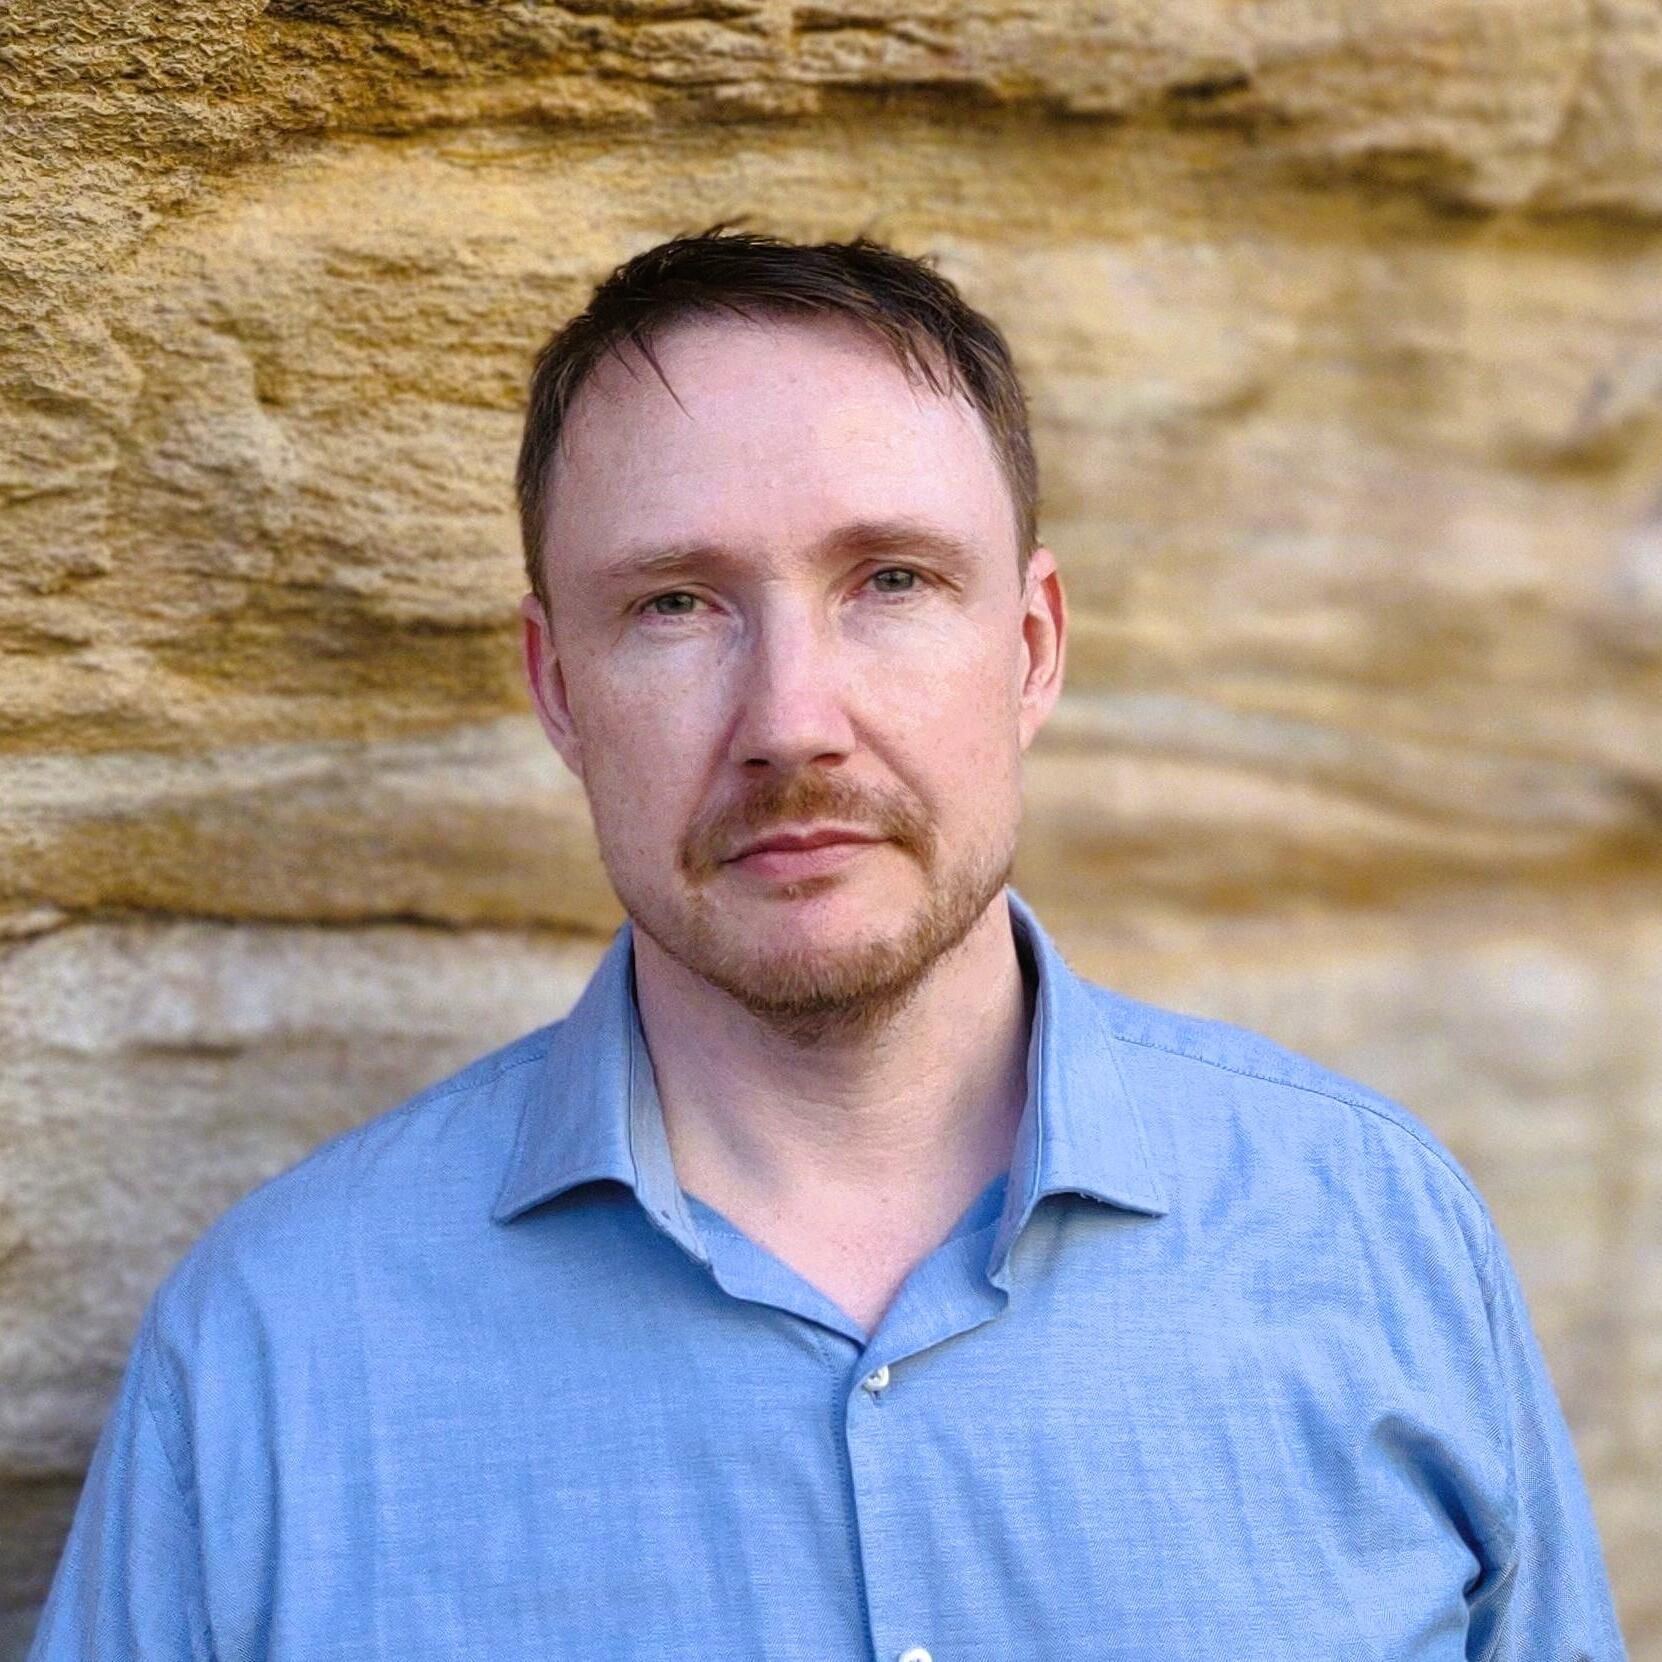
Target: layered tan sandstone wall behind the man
column 1344, row 323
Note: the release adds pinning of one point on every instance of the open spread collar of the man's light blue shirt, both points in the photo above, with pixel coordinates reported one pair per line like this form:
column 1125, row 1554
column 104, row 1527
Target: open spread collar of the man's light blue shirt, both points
column 593, row 1113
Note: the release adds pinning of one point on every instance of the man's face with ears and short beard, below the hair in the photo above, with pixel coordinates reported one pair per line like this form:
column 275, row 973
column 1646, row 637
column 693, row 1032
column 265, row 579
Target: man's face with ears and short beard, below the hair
column 787, row 602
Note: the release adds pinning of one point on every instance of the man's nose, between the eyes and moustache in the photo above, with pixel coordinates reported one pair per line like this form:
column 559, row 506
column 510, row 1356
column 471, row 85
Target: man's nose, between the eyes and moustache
column 792, row 696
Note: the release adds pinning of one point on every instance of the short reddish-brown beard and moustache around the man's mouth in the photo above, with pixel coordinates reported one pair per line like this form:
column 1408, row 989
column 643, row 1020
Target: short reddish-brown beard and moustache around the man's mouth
column 812, row 996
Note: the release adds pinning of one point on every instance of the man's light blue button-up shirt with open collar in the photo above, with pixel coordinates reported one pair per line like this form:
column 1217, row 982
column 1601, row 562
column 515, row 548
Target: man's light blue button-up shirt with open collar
column 1232, row 1367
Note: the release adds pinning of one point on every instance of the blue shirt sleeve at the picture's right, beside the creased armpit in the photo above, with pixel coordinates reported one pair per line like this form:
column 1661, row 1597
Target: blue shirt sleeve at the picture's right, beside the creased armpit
column 1550, row 1601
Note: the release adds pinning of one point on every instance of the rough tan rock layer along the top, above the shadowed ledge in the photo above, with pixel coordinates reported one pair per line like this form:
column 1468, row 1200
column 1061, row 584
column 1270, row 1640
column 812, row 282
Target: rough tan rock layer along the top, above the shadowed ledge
column 1546, row 101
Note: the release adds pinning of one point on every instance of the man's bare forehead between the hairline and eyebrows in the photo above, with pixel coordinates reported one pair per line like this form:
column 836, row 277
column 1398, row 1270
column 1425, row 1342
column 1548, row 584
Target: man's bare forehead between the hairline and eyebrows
column 769, row 436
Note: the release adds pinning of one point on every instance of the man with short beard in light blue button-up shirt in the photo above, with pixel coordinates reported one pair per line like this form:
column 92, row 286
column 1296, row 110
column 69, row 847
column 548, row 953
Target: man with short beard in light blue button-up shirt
column 843, row 1277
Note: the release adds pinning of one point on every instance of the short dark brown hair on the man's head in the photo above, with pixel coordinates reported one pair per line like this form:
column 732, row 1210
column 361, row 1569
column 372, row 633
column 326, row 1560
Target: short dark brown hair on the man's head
column 910, row 307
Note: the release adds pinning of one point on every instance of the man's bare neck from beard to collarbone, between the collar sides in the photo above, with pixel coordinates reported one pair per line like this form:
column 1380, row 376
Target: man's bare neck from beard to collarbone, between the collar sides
column 920, row 1113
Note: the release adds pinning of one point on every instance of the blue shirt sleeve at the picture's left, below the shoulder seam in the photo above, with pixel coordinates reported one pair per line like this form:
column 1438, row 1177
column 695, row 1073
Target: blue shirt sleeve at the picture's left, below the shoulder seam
column 129, row 1586
